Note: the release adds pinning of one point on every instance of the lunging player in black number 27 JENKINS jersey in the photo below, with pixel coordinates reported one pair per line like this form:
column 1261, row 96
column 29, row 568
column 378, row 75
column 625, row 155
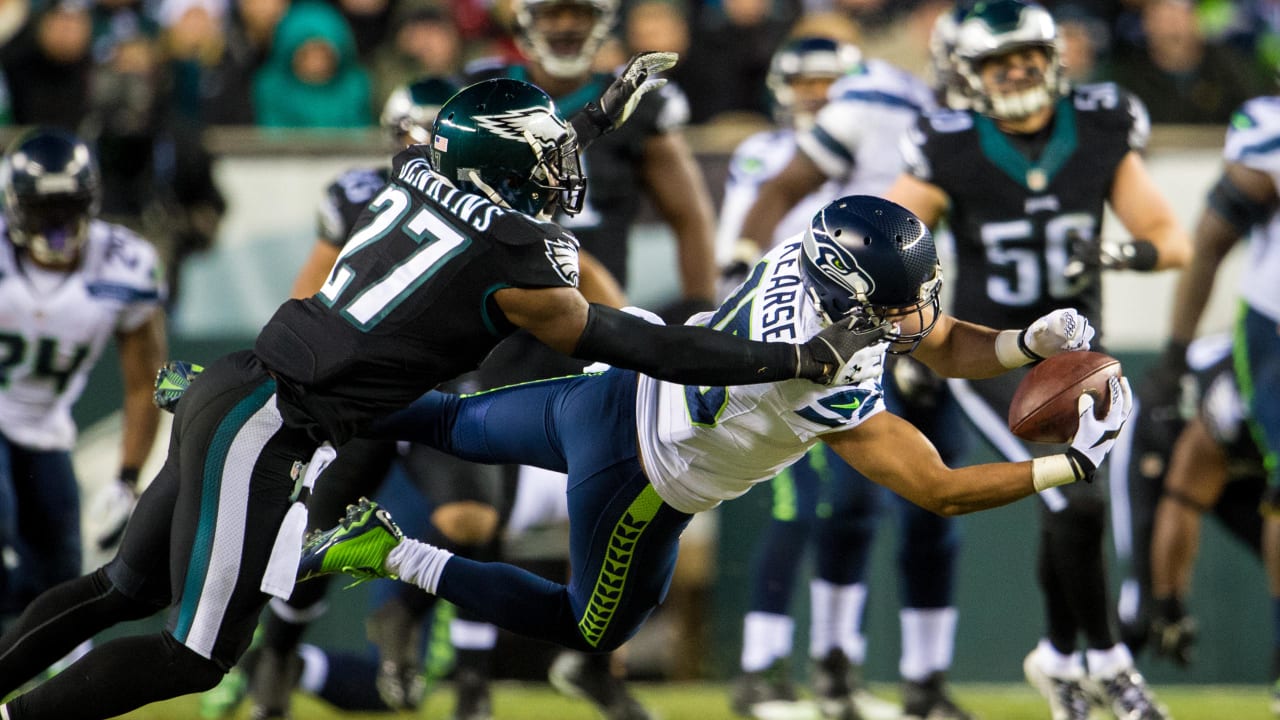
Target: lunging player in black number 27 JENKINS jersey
column 449, row 259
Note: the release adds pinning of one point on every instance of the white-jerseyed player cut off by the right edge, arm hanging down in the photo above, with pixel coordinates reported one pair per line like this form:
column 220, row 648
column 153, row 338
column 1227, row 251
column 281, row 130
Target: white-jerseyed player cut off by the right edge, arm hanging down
column 1245, row 203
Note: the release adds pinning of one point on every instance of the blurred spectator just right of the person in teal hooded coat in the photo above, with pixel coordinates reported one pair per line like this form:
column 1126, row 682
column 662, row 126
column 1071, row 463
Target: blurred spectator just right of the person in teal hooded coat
column 426, row 43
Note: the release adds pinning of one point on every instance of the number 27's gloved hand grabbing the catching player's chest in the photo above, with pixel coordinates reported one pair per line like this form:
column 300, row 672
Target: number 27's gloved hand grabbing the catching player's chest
column 845, row 353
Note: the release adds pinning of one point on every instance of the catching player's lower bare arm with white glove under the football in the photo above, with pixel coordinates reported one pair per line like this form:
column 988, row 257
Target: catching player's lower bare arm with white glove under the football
column 895, row 454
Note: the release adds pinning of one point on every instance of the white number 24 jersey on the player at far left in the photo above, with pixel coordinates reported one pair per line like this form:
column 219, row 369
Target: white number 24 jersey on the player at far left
column 54, row 327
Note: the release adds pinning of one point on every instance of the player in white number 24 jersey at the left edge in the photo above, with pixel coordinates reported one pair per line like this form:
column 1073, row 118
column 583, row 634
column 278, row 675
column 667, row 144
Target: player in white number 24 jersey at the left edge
column 70, row 285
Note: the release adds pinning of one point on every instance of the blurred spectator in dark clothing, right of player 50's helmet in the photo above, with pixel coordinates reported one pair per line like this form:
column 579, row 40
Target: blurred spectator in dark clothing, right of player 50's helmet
column 1182, row 78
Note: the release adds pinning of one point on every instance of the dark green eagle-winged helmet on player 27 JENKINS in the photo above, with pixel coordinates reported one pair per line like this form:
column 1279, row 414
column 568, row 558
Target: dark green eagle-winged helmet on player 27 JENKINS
column 505, row 140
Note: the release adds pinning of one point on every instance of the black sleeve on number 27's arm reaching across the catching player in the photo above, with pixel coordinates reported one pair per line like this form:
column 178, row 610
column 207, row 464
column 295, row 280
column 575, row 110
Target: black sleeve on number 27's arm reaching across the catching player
column 683, row 354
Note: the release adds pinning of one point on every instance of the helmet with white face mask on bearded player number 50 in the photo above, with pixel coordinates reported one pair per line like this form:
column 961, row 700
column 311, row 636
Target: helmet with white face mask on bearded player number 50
column 998, row 28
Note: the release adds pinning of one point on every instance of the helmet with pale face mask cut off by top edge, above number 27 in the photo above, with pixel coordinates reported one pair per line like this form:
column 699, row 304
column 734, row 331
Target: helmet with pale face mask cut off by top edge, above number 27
column 565, row 56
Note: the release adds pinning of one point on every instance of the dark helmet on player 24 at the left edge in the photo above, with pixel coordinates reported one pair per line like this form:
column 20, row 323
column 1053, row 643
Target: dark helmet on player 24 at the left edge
column 52, row 190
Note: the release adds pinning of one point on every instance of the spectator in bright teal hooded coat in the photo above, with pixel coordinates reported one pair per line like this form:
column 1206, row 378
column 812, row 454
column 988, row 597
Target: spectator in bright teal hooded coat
column 313, row 78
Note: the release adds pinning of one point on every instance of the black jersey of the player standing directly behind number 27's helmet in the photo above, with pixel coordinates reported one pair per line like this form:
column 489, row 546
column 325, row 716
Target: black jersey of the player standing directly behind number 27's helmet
column 612, row 163
